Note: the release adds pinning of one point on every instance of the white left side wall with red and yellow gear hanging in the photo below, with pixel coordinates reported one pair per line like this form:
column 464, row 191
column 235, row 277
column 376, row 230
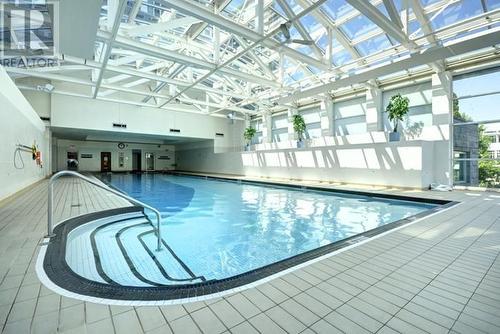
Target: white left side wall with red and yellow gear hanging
column 19, row 124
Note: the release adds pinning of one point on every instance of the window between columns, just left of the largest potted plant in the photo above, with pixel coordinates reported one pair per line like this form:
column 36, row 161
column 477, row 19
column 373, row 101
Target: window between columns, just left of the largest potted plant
column 350, row 116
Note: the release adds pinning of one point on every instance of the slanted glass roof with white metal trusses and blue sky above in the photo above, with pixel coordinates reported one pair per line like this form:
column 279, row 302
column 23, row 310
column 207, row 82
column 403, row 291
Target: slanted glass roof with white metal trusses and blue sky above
column 220, row 54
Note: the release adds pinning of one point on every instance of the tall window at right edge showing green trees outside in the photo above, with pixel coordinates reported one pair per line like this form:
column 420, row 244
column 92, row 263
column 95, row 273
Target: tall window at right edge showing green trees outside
column 476, row 117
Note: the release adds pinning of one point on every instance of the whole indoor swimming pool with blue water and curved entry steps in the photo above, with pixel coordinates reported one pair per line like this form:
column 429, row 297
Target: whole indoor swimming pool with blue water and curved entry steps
column 216, row 233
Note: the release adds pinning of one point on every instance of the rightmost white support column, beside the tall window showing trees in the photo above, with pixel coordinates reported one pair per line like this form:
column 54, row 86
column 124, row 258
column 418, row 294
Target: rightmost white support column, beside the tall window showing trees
column 442, row 117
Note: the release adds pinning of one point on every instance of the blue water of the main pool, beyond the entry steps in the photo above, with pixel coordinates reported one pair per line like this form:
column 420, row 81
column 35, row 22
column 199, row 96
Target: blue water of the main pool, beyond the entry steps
column 223, row 228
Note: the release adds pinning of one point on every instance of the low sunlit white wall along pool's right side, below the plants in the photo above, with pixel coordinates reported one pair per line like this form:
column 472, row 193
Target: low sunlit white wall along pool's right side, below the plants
column 356, row 159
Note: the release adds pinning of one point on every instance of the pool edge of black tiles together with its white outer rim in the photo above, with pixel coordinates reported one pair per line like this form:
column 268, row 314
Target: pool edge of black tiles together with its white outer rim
column 60, row 274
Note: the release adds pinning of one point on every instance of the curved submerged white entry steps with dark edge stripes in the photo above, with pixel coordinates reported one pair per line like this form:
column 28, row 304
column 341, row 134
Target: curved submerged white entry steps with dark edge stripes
column 121, row 250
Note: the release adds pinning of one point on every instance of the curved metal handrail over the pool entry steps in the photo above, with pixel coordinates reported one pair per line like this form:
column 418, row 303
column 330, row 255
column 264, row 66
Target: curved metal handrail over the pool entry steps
column 50, row 226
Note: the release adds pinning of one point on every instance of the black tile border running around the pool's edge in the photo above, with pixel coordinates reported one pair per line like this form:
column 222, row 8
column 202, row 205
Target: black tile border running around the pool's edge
column 58, row 271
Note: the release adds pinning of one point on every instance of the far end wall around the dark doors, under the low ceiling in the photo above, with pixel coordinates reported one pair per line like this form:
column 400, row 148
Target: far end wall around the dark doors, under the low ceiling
column 95, row 148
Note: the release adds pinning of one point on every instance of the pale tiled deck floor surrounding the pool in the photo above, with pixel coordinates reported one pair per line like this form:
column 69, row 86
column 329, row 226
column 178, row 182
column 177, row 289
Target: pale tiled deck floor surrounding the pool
column 441, row 274
